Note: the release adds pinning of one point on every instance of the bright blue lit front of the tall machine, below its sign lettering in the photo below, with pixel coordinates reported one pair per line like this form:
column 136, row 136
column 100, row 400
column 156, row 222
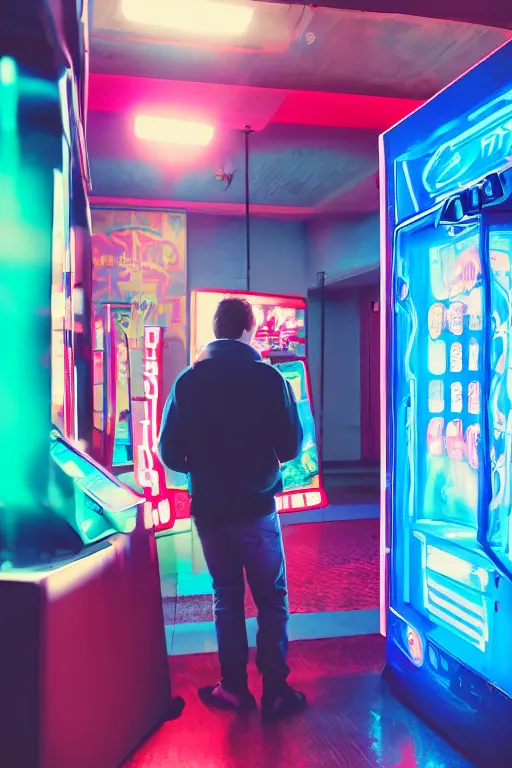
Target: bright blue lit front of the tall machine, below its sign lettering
column 451, row 423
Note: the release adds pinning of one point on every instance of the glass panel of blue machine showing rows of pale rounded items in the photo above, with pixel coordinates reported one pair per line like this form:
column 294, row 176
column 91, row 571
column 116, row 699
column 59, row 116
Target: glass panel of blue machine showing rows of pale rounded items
column 439, row 313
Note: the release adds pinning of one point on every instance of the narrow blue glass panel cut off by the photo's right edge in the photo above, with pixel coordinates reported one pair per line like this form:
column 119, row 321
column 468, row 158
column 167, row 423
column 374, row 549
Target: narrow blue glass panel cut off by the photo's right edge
column 500, row 396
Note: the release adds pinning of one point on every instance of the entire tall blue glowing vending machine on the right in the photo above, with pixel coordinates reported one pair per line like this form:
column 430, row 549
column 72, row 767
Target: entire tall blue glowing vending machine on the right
column 446, row 187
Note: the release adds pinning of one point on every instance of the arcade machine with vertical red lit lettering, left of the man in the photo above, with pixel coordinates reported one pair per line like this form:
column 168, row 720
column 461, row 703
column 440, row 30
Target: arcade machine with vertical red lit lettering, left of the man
column 127, row 373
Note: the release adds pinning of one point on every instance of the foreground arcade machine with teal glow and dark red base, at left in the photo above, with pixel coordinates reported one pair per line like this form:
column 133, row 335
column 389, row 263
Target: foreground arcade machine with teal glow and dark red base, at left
column 83, row 659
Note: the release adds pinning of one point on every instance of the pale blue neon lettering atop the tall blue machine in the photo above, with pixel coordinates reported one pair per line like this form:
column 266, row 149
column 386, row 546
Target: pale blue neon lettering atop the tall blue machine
column 484, row 148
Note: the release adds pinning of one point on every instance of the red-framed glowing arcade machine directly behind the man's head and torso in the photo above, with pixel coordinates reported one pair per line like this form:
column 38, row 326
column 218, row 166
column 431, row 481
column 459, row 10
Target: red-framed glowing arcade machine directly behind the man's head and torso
column 281, row 340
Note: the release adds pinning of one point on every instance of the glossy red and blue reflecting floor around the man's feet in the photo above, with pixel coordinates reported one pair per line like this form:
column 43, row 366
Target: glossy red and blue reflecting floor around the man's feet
column 353, row 721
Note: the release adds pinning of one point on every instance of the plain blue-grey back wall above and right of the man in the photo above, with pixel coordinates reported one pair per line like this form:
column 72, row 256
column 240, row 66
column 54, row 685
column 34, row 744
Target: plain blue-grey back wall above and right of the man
column 285, row 258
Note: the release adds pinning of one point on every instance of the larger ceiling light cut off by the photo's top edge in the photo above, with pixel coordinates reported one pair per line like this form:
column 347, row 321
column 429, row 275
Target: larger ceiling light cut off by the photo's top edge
column 204, row 17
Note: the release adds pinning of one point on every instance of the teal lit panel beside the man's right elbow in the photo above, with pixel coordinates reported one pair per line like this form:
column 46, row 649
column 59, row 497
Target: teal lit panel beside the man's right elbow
column 302, row 472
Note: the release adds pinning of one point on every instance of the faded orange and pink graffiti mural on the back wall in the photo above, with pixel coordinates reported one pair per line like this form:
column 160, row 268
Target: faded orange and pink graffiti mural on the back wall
column 144, row 252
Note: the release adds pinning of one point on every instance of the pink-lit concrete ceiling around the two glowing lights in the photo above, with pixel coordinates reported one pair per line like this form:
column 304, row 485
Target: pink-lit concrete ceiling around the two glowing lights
column 317, row 85
